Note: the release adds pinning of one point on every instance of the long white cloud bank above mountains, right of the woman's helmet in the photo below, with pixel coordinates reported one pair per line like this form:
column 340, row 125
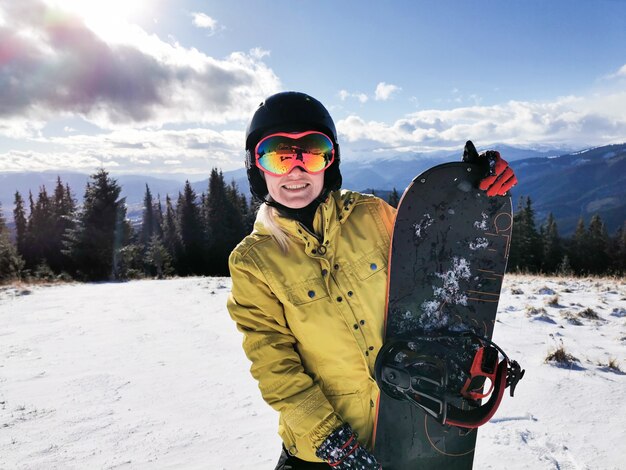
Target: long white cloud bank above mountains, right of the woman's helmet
column 567, row 121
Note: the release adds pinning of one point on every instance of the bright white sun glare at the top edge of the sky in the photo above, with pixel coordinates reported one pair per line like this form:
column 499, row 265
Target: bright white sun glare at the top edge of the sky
column 106, row 18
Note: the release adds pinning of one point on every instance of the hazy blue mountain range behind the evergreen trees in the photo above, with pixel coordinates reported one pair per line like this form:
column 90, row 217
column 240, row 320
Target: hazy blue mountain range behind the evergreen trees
column 570, row 185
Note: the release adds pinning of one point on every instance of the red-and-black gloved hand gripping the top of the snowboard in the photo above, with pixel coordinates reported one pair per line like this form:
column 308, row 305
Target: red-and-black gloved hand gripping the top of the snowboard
column 500, row 177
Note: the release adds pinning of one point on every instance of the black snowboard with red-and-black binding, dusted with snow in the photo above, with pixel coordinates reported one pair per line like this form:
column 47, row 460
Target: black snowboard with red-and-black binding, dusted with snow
column 440, row 375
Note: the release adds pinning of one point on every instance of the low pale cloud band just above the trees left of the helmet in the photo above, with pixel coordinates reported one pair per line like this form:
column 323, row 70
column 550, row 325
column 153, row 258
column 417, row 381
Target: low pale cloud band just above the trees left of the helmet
column 191, row 151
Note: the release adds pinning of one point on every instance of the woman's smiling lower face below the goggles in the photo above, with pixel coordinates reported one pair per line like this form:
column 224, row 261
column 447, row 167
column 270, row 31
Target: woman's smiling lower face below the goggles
column 296, row 189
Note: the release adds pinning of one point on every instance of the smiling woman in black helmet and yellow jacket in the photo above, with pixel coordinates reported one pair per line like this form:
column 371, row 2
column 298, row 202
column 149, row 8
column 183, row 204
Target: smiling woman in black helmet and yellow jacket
column 309, row 286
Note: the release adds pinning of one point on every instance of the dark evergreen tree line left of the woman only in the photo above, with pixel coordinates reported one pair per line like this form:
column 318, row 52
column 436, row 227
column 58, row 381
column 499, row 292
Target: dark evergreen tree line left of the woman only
column 57, row 238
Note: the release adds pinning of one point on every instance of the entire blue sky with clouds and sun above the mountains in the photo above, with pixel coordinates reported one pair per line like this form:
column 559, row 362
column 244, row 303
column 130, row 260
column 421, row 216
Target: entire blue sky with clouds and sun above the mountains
column 165, row 88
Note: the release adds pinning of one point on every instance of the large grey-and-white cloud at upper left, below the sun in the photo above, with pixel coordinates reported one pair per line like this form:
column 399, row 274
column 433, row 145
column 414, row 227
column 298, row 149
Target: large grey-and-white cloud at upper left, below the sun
column 52, row 64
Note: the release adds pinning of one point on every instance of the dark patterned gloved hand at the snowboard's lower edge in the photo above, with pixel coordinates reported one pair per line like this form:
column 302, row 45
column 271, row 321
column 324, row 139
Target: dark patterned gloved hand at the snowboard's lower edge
column 342, row 451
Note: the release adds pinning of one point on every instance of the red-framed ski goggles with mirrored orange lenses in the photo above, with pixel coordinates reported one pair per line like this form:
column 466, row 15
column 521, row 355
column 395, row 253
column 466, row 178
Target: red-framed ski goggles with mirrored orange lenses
column 277, row 154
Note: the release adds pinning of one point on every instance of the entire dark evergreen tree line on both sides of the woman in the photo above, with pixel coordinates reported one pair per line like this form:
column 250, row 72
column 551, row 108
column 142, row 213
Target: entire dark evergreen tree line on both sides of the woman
column 194, row 235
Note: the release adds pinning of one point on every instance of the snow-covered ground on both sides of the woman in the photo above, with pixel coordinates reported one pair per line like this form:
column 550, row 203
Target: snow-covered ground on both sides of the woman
column 151, row 374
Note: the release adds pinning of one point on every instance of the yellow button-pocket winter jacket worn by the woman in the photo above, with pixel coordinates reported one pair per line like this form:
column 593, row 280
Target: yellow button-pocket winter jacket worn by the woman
column 312, row 319
